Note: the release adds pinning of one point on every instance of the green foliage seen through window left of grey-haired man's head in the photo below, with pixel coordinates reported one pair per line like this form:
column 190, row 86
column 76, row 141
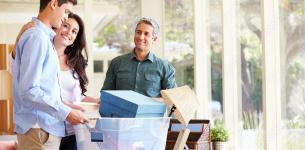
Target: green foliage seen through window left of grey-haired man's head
column 120, row 31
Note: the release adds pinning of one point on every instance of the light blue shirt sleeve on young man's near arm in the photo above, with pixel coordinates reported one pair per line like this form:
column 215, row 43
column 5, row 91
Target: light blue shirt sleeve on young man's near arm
column 33, row 54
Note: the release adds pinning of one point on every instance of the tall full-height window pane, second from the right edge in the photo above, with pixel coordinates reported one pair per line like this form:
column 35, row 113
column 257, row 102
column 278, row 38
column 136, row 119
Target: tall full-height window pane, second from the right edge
column 250, row 28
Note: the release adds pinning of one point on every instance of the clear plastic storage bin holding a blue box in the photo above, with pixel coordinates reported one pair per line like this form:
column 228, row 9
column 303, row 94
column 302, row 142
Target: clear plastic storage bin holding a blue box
column 125, row 134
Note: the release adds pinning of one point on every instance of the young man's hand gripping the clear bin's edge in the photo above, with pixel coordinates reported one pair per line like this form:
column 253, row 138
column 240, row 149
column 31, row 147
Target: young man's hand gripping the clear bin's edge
column 76, row 117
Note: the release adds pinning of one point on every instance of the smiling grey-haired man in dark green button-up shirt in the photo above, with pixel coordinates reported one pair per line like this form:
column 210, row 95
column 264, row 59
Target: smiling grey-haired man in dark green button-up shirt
column 140, row 70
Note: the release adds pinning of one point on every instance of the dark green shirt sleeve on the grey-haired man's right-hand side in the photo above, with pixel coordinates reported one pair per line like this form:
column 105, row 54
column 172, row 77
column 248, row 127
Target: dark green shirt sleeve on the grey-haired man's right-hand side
column 169, row 80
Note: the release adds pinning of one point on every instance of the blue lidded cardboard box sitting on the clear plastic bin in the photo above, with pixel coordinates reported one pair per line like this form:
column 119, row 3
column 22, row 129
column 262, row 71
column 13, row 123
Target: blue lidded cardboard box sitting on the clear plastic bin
column 129, row 104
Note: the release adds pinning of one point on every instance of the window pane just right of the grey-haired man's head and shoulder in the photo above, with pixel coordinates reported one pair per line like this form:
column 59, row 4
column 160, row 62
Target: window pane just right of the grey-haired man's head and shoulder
column 179, row 39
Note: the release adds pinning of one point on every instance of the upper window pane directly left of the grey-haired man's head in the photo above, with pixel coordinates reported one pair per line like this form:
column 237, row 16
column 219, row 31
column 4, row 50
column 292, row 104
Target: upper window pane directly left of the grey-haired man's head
column 116, row 31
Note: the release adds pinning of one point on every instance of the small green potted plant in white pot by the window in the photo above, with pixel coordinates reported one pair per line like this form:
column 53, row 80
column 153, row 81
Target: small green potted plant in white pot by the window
column 219, row 137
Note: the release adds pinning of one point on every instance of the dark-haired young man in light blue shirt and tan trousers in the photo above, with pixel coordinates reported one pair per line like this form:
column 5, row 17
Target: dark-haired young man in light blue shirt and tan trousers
column 39, row 112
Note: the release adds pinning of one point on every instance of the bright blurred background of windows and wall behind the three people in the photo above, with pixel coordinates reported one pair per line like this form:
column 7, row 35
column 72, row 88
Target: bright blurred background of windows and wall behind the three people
column 243, row 58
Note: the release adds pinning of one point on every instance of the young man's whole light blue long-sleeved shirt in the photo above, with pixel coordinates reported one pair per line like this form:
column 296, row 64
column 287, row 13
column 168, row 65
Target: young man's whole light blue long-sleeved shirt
column 36, row 87
